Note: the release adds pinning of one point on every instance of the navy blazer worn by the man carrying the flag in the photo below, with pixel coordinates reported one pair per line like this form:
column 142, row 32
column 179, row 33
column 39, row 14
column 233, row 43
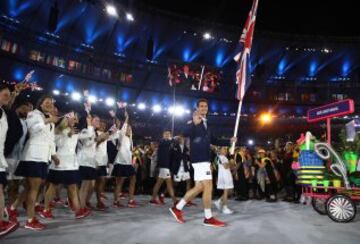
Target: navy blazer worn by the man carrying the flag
column 200, row 140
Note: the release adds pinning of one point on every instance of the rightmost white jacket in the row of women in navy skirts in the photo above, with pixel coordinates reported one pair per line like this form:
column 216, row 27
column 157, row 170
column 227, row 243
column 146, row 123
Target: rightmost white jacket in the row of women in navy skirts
column 124, row 155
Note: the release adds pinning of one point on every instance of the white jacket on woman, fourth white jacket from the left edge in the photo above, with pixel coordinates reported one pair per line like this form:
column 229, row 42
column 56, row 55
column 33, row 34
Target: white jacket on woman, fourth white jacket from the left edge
column 87, row 148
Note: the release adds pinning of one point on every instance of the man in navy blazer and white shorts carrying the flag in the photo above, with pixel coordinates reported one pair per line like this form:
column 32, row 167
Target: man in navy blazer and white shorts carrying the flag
column 200, row 156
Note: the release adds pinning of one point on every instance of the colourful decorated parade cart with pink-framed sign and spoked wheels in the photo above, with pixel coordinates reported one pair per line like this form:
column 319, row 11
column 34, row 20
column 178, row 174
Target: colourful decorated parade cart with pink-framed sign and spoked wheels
column 330, row 178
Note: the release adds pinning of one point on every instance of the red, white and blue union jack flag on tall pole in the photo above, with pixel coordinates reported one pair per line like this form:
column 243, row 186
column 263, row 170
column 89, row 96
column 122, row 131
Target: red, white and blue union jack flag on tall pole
column 243, row 57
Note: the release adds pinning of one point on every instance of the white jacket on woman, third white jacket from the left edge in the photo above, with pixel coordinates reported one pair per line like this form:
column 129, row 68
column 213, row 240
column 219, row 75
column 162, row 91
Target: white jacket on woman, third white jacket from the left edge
column 66, row 151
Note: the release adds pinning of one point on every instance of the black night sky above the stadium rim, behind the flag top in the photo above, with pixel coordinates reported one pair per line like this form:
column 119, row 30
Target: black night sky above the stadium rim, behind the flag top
column 314, row 17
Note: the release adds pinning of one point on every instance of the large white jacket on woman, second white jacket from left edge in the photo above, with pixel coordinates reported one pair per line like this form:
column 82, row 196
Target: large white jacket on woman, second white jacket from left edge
column 41, row 143
